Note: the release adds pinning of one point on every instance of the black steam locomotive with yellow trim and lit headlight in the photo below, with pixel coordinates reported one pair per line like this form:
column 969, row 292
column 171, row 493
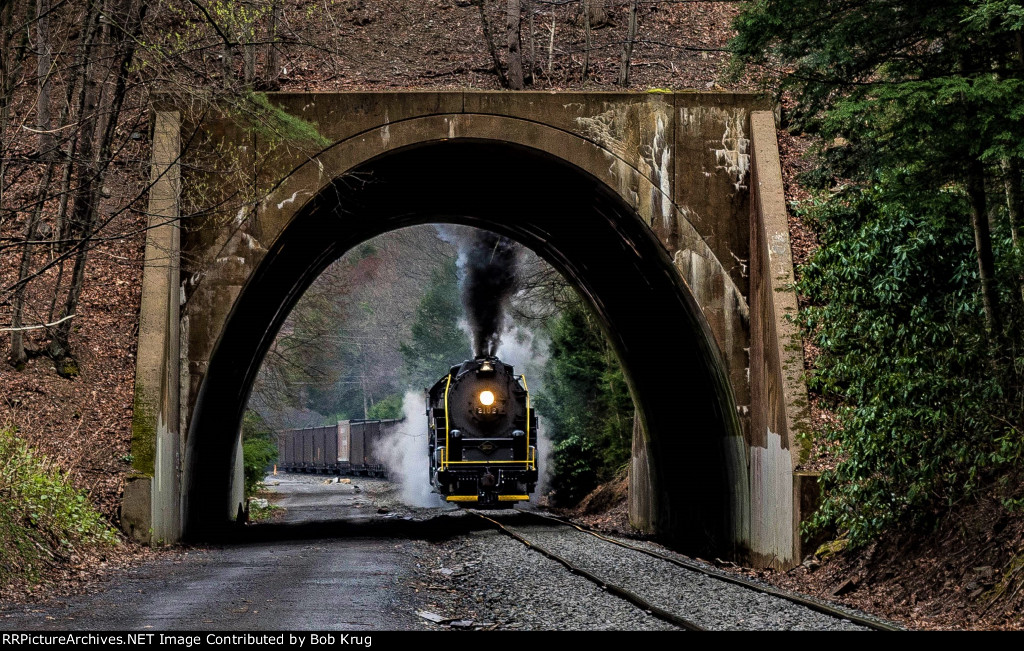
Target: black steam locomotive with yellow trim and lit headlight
column 483, row 436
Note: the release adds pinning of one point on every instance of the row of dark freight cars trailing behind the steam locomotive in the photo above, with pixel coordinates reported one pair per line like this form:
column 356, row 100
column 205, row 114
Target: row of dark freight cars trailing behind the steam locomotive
column 351, row 448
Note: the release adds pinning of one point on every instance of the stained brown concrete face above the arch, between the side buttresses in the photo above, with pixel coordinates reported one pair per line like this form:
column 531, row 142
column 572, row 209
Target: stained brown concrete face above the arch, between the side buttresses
column 680, row 160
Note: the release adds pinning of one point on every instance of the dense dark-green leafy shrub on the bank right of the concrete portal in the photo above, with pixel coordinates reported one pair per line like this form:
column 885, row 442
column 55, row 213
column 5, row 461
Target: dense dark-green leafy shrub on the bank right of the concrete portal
column 928, row 407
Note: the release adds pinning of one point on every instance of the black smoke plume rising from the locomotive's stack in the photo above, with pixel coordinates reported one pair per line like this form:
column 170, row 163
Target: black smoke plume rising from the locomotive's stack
column 489, row 283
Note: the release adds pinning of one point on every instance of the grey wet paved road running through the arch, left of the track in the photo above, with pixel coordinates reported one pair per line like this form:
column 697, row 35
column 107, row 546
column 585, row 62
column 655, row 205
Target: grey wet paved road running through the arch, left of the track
column 348, row 583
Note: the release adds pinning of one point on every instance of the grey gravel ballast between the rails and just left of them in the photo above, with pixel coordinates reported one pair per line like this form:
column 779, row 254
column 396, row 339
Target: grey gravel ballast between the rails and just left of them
column 701, row 599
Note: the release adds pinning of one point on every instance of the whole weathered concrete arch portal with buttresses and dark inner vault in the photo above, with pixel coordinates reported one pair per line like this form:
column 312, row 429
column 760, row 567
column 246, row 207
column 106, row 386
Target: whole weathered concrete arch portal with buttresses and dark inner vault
column 642, row 202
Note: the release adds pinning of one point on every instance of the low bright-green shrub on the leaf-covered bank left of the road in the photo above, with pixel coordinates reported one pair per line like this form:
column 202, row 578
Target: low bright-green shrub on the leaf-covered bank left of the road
column 44, row 518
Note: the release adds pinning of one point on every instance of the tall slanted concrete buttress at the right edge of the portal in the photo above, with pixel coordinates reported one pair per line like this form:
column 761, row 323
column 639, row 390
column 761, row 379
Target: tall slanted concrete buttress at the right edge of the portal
column 778, row 386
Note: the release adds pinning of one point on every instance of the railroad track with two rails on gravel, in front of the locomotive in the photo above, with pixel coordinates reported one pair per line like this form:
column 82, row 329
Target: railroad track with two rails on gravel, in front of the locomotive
column 622, row 574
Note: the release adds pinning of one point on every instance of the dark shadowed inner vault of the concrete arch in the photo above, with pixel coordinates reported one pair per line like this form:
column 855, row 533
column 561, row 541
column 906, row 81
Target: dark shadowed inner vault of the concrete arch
column 576, row 223
